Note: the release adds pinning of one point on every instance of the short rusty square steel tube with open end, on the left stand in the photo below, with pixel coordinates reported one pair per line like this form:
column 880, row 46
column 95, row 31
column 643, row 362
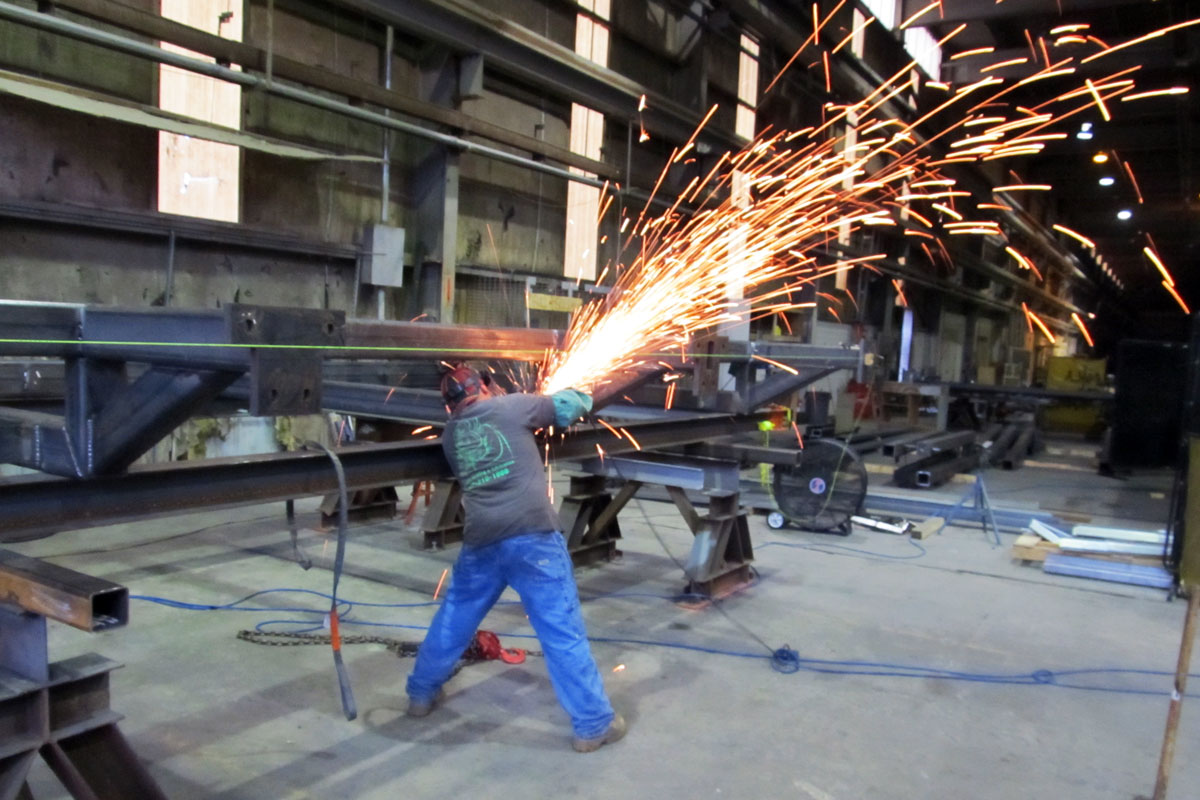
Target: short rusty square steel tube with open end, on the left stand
column 65, row 596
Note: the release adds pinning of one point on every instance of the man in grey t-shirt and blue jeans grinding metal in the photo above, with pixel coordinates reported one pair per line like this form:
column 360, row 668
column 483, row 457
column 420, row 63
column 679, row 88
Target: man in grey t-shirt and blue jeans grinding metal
column 512, row 539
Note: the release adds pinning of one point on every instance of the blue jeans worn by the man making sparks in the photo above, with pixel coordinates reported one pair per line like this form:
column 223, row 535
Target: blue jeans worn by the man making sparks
column 539, row 569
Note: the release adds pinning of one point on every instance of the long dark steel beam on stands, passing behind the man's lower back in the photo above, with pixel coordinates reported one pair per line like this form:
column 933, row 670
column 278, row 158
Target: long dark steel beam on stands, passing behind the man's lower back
column 29, row 506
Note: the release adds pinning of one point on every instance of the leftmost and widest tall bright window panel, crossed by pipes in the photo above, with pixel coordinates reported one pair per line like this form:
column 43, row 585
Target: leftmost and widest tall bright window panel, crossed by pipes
column 200, row 178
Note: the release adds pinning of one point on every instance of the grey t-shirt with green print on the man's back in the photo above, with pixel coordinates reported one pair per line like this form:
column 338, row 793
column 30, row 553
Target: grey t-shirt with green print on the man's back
column 493, row 452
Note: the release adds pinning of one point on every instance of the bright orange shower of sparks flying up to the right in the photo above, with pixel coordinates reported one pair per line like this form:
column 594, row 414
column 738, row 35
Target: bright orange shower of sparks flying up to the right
column 745, row 238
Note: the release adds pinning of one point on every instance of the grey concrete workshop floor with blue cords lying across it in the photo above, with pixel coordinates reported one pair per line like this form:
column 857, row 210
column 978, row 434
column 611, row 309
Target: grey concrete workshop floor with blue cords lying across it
column 217, row 718
